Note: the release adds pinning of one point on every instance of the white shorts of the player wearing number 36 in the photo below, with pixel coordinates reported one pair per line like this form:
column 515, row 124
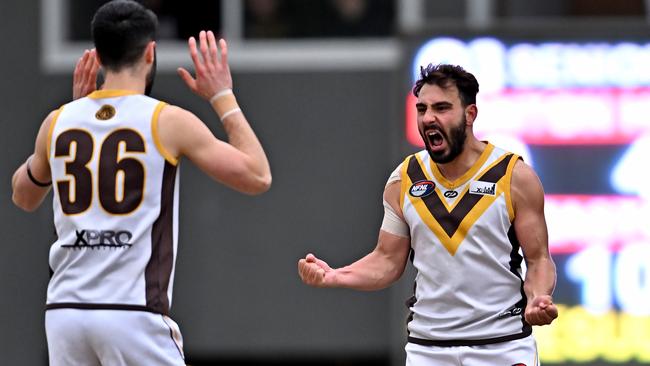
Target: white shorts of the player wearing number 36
column 112, row 337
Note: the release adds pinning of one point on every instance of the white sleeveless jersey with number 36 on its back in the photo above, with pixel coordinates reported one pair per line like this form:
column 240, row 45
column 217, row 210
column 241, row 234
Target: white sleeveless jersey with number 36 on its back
column 115, row 205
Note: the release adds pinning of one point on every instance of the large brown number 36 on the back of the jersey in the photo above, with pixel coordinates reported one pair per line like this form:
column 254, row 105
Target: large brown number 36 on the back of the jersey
column 115, row 197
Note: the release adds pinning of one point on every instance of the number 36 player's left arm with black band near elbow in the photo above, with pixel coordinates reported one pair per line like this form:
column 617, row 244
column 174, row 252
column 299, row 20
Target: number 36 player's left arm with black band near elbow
column 28, row 193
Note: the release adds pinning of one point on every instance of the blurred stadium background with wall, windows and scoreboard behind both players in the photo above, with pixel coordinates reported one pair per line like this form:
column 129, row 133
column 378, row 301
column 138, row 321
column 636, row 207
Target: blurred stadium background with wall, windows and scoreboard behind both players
column 325, row 84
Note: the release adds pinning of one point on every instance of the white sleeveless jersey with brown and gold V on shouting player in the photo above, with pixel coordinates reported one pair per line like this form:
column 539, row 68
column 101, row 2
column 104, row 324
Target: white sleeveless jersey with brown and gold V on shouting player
column 469, row 287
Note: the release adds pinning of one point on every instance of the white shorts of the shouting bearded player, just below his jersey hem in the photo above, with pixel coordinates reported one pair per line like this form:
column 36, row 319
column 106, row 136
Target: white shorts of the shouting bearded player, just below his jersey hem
column 519, row 352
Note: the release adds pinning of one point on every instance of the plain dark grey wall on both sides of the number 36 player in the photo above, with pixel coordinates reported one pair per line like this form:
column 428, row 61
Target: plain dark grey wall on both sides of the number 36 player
column 330, row 138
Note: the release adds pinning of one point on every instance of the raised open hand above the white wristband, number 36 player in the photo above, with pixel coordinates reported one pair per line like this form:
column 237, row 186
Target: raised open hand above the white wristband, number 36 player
column 211, row 67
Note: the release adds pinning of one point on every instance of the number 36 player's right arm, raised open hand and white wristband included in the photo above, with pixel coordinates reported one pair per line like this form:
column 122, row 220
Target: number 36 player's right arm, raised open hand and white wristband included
column 241, row 163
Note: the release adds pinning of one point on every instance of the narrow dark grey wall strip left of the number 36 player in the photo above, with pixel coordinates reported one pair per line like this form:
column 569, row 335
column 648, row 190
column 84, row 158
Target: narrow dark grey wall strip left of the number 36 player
column 23, row 261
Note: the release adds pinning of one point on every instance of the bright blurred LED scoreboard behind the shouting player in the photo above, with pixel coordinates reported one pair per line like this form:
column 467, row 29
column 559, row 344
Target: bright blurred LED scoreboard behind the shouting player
column 579, row 113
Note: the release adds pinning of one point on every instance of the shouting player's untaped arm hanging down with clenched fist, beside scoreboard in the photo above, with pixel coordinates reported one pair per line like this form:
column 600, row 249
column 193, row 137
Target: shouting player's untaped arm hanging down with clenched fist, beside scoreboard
column 530, row 227
